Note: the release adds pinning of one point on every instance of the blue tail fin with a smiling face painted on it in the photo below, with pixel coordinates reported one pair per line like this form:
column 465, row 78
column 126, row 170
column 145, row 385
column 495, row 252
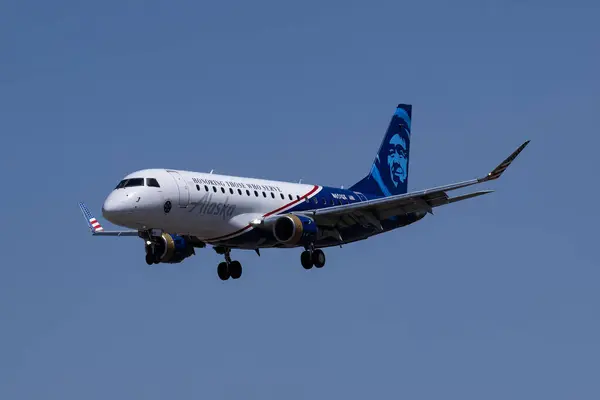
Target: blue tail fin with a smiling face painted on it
column 389, row 172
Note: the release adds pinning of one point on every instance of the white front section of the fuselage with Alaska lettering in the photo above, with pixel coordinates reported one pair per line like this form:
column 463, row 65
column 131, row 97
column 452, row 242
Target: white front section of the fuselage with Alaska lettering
column 208, row 206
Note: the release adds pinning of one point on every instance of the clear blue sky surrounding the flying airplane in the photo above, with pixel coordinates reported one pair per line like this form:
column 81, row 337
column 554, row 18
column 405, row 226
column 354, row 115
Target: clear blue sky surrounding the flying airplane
column 494, row 298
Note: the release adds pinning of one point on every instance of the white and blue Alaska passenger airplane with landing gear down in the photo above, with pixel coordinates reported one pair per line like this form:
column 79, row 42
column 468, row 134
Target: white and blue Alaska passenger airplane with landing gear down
column 177, row 211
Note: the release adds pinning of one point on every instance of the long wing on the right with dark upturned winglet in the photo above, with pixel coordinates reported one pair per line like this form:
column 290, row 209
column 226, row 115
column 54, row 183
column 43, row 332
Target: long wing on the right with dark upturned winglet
column 424, row 200
